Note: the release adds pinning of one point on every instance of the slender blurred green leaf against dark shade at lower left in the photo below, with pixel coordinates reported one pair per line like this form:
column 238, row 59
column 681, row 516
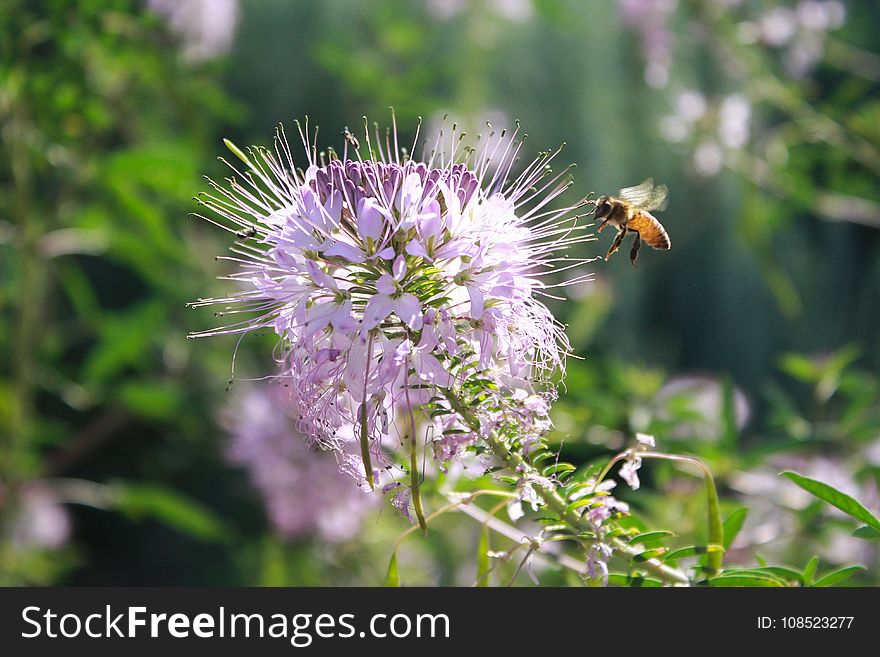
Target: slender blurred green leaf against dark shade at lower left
column 169, row 507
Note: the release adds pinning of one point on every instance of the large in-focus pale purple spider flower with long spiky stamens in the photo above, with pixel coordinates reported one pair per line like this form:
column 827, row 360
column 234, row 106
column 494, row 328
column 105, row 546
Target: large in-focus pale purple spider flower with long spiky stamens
column 391, row 281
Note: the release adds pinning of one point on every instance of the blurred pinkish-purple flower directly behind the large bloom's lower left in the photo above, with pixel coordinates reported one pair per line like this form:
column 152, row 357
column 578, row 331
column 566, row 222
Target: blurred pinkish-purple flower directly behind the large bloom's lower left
column 302, row 487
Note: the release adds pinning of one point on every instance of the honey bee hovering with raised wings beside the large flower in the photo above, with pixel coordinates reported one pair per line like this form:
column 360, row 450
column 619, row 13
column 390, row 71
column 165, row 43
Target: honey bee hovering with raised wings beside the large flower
column 631, row 211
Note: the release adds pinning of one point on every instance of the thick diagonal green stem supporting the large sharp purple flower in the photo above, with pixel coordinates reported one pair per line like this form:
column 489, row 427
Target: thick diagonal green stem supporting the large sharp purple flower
column 516, row 463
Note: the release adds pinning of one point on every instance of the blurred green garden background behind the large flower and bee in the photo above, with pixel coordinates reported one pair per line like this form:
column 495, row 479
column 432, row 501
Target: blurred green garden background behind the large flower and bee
column 752, row 343
